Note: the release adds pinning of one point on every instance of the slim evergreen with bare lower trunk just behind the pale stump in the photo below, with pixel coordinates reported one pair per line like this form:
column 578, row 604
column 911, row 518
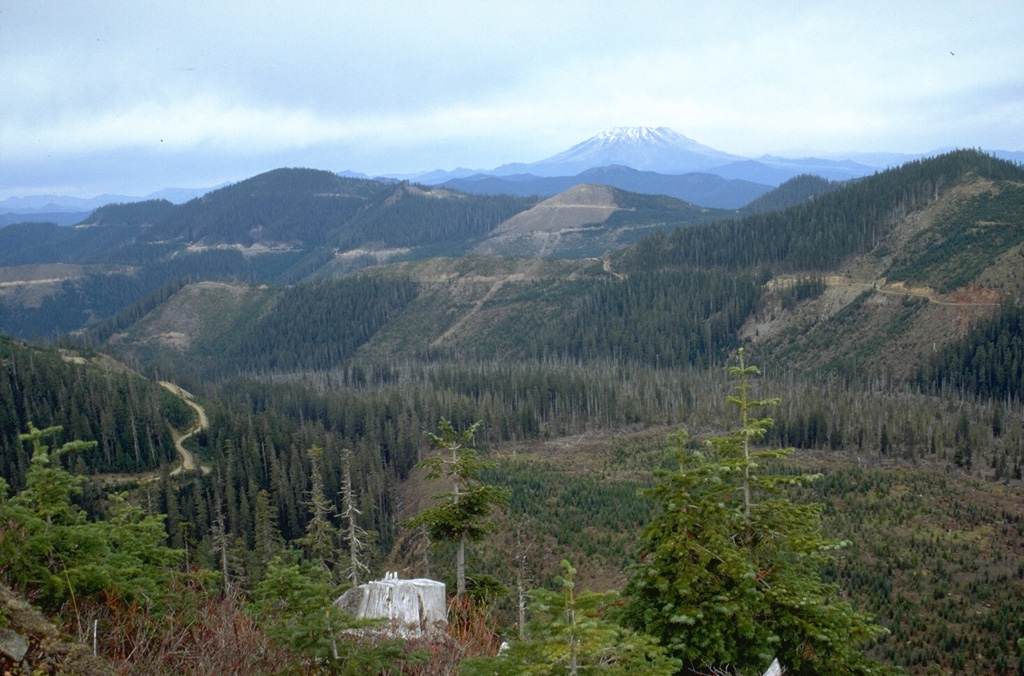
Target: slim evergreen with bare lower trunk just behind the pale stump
column 461, row 516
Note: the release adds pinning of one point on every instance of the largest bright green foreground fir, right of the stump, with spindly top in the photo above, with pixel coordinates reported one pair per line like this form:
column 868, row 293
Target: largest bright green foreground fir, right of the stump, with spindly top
column 730, row 572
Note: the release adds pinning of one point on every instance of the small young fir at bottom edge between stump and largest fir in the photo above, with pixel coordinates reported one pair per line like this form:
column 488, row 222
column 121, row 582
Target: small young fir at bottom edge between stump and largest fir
column 572, row 633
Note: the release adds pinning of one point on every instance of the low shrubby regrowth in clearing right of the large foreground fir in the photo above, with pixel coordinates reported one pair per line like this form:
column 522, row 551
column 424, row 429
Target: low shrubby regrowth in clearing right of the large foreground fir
column 934, row 559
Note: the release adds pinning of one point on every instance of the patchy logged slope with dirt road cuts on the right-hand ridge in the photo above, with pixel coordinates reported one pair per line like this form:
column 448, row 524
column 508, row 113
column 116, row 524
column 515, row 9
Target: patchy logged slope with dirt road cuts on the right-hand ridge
column 936, row 272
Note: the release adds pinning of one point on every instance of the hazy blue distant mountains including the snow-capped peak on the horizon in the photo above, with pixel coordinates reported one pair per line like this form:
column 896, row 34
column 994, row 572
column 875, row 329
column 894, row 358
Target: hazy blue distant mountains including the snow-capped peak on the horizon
column 646, row 160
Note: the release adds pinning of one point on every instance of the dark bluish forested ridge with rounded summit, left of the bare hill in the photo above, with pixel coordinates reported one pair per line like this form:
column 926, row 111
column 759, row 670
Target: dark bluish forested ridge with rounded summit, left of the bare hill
column 297, row 220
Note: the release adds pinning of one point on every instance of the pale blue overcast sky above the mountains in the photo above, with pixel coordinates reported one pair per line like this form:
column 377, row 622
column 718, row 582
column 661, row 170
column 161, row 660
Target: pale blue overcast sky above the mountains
column 131, row 97
